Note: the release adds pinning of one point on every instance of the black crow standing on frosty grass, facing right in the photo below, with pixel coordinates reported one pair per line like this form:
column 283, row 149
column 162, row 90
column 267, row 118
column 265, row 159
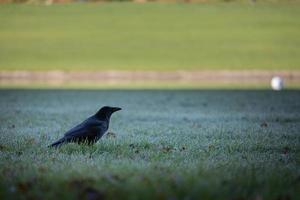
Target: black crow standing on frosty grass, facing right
column 90, row 130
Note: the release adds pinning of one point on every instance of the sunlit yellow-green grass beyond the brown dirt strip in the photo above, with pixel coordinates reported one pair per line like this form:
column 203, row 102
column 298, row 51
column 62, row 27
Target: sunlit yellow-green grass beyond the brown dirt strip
column 152, row 36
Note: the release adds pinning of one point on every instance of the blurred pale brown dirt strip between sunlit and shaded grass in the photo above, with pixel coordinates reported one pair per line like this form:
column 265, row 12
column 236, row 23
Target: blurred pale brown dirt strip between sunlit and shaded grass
column 179, row 76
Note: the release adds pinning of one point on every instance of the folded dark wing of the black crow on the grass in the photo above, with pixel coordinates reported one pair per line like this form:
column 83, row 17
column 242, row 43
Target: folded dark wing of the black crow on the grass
column 89, row 127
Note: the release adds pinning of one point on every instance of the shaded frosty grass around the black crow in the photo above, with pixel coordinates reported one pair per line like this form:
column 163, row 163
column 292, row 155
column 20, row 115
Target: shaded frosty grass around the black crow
column 180, row 144
